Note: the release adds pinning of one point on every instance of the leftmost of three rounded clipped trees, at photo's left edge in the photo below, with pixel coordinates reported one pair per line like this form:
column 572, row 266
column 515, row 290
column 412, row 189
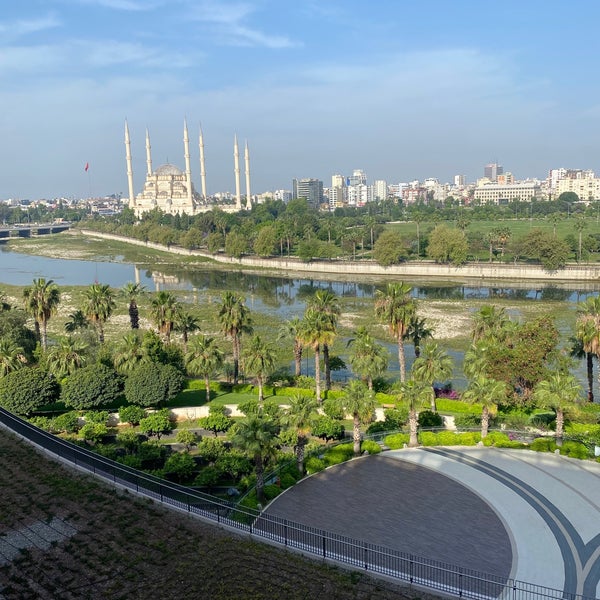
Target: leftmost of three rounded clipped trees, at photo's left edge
column 26, row 390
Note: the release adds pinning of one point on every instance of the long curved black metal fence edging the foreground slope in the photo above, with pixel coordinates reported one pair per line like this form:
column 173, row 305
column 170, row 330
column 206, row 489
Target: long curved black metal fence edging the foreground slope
column 401, row 566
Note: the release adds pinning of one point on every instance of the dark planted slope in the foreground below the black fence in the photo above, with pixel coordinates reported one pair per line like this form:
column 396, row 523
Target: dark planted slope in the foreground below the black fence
column 126, row 547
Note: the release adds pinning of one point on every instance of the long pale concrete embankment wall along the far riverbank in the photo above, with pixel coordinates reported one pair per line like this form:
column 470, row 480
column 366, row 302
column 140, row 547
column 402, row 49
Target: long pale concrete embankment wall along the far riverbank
column 585, row 273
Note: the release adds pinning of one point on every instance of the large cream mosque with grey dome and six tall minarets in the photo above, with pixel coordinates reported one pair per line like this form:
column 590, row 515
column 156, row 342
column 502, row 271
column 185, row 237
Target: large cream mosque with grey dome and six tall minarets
column 171, row 190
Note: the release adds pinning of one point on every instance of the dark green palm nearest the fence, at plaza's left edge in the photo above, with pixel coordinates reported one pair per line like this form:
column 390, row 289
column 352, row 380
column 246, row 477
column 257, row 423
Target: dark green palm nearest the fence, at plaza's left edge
column 256, row 436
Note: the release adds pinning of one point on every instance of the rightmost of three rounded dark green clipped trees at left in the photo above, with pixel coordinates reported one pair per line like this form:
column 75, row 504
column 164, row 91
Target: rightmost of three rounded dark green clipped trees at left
column 153, row 384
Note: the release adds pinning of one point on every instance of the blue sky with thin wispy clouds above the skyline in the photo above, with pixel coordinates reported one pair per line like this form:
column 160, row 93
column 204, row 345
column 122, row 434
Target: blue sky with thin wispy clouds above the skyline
column 401, row 89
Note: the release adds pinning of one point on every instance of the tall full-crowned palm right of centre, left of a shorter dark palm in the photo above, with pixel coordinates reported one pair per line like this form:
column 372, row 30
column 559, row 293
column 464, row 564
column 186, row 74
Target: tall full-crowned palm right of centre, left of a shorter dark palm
column 395, row 308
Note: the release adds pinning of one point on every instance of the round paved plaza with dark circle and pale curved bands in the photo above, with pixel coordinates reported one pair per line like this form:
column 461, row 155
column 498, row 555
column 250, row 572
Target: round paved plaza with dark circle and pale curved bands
column 533, row 517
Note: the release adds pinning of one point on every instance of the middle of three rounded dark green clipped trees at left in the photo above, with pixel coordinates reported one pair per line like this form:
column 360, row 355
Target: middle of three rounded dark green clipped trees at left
column 91, row 387
